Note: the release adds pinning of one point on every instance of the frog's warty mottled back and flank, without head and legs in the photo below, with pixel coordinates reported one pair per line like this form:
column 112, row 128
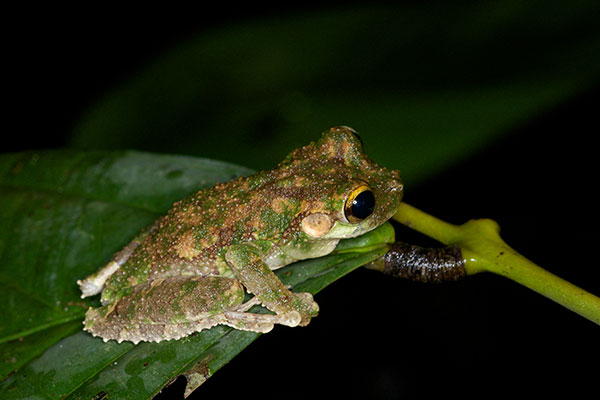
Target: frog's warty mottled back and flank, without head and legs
column 192, row 237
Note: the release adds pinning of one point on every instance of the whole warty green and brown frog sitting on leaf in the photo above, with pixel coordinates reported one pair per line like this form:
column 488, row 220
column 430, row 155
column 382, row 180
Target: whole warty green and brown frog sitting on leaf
column 190, row 270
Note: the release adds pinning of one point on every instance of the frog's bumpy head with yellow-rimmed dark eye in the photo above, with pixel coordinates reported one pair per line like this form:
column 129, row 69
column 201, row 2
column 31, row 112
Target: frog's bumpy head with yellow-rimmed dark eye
column 345, row 193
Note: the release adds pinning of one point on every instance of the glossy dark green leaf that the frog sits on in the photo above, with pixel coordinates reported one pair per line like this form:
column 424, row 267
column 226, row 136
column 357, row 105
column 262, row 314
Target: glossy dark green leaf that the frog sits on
column 65, row 213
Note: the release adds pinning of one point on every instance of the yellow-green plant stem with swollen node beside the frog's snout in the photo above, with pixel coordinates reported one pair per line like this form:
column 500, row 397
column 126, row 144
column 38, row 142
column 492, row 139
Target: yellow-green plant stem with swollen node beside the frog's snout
column 484, row 251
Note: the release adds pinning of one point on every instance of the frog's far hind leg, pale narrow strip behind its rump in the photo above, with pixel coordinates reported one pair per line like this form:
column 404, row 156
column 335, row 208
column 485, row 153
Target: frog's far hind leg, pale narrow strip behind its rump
column 94, row 283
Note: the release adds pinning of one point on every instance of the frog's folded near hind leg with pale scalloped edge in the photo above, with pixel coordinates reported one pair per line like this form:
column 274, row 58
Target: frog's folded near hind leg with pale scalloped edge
column 175, row 307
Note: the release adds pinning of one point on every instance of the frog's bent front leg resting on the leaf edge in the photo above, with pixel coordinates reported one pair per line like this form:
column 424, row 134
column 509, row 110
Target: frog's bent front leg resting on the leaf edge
column 246, row 260
